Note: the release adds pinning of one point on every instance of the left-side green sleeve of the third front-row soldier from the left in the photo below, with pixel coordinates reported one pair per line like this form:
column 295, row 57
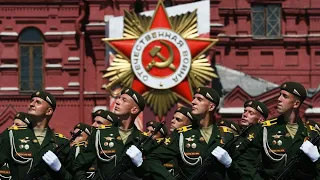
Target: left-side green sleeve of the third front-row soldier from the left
column 164, row 153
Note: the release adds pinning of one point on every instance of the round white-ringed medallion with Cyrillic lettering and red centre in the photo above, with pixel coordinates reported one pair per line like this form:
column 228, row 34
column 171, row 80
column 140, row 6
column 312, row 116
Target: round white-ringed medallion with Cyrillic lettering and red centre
column 161, row 59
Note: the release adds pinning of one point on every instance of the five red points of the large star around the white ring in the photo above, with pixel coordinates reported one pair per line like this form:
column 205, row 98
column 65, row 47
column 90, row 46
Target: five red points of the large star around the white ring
column 161, row 20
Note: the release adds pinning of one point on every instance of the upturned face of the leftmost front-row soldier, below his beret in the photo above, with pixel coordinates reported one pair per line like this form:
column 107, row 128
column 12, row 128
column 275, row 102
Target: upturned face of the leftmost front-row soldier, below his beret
column 39, row 107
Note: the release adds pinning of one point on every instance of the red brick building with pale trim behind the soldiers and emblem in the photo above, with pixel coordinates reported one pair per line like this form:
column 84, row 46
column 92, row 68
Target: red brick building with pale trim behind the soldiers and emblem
column 56, row 45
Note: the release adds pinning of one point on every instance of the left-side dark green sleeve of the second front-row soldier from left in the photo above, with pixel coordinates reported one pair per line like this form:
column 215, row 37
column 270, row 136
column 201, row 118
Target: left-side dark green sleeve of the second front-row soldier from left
column 84, row 159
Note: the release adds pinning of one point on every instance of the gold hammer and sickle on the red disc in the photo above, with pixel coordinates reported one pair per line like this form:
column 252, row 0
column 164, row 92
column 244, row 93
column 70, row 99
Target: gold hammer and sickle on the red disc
column 166, row 62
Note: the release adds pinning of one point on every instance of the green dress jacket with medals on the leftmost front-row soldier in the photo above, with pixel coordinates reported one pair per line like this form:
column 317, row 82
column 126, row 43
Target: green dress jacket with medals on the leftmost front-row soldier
column 21, row 150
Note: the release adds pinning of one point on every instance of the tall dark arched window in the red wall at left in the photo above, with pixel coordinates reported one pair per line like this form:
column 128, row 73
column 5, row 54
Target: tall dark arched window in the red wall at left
column 31, row 55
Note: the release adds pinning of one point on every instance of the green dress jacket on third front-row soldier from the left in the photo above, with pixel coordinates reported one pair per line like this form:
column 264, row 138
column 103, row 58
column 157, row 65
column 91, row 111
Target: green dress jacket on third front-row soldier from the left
column 190, row 149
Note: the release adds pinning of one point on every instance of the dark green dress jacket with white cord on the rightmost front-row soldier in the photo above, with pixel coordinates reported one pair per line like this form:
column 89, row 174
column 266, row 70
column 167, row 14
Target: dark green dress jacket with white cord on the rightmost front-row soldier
column 273, row 141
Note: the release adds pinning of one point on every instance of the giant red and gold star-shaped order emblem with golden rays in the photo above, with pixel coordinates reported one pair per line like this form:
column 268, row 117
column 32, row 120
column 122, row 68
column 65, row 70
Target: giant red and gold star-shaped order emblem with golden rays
column 163, row 58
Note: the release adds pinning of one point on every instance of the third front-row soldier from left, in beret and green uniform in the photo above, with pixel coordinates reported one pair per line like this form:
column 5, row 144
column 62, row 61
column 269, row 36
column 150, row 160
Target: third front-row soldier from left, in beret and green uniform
column 191, row 145
